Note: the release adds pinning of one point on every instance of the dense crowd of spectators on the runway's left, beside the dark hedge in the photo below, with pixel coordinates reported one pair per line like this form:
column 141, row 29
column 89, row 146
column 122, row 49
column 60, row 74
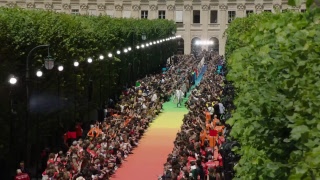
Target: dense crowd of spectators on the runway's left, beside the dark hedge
column 97, row 154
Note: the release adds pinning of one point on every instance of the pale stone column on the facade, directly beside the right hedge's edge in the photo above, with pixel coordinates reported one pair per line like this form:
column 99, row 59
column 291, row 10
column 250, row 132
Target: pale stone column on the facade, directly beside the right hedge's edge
column 222, row 21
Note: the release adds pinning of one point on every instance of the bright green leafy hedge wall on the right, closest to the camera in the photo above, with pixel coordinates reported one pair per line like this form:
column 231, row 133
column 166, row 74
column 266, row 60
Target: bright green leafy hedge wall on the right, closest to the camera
column 274, row 63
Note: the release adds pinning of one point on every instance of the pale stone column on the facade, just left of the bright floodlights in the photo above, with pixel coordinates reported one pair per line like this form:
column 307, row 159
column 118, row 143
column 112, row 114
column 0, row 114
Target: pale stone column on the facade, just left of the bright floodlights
column 187, row 20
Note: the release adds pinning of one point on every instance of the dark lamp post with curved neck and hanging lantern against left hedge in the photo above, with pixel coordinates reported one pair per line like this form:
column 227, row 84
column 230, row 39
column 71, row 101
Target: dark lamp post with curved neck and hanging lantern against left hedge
column 49, row 64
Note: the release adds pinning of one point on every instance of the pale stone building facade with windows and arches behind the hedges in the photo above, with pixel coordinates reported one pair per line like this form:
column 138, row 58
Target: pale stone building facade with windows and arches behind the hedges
column 196, row 19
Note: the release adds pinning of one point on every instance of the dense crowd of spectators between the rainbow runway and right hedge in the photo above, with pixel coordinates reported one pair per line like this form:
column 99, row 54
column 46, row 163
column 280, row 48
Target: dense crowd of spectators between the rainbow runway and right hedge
column 196, row 152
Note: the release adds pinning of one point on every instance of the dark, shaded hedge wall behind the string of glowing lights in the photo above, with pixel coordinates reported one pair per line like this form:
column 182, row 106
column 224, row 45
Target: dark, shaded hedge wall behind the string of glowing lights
column 71, row 37
